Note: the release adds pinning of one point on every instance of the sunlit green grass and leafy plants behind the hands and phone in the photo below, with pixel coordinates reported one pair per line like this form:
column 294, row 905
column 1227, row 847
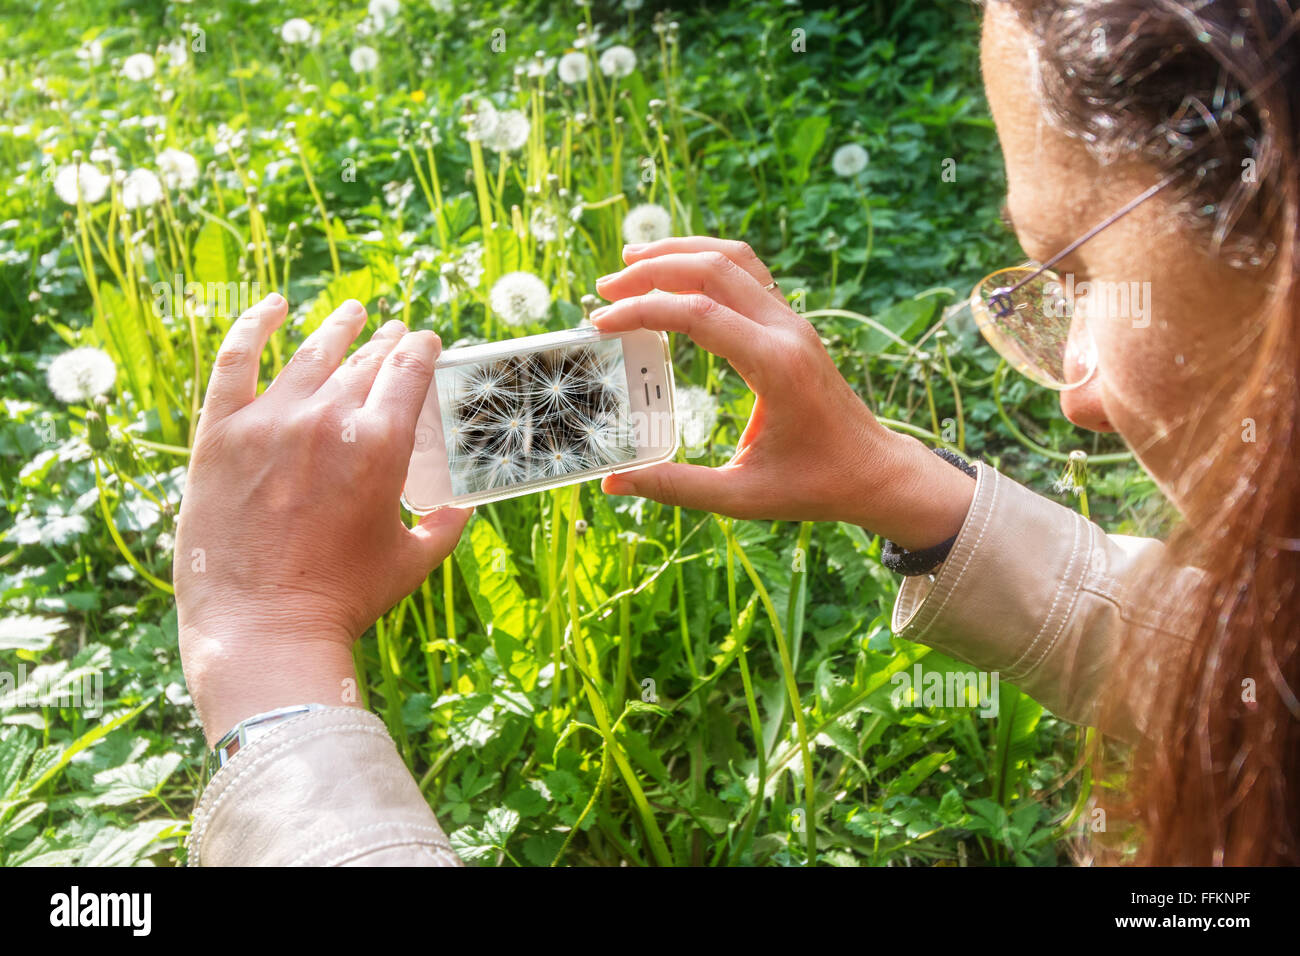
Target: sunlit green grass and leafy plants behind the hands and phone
column 665, row 687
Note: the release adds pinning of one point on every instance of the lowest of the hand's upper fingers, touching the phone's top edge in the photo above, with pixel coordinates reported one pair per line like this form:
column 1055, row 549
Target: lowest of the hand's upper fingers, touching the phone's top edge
column 717, row 328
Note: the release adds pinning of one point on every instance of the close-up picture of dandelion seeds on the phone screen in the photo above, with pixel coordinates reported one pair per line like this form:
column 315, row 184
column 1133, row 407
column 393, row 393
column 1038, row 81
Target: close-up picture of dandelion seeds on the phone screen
column 540, row 417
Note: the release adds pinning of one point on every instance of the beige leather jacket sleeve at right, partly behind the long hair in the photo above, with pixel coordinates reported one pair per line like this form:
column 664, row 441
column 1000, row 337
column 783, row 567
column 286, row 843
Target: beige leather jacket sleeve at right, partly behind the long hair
column 1051, row 603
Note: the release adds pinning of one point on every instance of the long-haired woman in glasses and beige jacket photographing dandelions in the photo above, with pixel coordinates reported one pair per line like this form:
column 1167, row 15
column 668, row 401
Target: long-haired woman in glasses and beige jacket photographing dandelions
column 1175, row 124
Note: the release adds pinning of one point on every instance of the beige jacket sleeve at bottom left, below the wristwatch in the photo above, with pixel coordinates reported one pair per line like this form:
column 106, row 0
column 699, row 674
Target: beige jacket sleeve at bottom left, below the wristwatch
column 326, row 789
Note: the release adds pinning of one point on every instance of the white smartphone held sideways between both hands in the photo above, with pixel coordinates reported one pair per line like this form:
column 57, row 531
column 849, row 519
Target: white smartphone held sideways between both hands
column 531, row 414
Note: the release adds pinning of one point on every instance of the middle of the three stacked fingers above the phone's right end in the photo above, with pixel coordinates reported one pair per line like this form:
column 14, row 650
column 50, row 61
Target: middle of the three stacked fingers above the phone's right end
column 710, row 274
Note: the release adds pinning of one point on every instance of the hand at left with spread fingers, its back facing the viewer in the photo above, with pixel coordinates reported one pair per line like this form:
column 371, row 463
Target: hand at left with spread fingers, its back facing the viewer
column 291, row 539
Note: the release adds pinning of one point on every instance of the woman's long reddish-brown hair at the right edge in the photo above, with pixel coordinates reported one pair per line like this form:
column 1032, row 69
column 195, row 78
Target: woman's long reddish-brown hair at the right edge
column 1214, row 89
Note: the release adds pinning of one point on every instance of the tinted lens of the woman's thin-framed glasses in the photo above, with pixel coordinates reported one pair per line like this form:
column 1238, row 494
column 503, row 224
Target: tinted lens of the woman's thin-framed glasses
column 1033, row 327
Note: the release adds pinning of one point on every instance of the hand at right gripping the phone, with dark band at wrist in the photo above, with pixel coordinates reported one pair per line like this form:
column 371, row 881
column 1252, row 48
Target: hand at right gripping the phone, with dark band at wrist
column 812, row 449
